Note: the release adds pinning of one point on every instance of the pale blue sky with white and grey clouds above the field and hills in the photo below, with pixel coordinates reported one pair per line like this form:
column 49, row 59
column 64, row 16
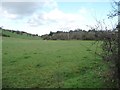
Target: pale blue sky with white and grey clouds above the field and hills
column 42, row 16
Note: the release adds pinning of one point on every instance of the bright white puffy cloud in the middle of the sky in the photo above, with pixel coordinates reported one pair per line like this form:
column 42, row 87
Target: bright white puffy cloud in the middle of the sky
column 56, row 16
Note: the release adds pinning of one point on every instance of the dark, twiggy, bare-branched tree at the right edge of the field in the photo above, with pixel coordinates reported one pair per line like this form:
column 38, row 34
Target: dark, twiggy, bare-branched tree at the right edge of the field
column 110, row 44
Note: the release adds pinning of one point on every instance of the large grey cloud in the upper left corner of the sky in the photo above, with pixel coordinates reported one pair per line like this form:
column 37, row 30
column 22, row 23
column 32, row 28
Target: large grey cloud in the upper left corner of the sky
column 21, row 8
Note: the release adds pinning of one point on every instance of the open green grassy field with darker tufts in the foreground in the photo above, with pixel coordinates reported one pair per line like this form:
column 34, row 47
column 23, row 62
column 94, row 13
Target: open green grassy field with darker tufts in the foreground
column 52, row 64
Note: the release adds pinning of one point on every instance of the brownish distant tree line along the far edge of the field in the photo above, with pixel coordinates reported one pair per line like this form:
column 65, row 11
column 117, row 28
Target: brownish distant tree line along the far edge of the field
column 79, row 34
